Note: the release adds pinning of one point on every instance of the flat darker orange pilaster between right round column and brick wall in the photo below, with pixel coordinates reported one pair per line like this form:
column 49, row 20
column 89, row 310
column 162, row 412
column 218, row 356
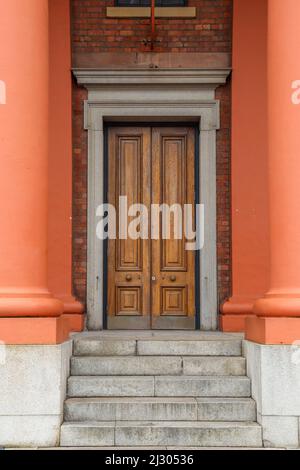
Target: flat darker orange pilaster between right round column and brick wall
column 250, row 244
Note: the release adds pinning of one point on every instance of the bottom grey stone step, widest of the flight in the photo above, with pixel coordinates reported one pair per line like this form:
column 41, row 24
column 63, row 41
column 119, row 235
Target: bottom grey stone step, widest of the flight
column 166, row 433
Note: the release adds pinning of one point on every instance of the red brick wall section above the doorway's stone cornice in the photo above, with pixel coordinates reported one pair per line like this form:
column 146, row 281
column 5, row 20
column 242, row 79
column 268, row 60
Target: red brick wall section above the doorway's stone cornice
column 209, row 32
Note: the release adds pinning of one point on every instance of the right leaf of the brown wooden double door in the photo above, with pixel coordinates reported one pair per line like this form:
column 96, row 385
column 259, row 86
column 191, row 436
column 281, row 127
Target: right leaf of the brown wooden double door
column 173, row 267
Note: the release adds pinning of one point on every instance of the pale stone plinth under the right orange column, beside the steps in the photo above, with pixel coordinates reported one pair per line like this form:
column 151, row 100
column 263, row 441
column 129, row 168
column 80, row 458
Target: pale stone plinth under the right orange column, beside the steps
column 275, row 377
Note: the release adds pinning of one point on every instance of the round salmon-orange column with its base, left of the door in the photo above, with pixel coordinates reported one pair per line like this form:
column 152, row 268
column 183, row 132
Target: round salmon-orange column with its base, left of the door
column 28, row 312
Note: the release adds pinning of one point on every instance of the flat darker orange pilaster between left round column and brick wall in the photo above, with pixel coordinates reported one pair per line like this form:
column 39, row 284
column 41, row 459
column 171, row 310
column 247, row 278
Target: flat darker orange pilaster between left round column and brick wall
column 60, row 157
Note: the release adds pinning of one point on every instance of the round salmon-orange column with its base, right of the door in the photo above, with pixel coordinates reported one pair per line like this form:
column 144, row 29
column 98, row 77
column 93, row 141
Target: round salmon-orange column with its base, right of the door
column 278, row 313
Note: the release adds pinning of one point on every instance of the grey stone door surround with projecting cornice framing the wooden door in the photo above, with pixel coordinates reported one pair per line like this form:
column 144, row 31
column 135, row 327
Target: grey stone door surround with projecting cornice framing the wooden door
column 174, row 95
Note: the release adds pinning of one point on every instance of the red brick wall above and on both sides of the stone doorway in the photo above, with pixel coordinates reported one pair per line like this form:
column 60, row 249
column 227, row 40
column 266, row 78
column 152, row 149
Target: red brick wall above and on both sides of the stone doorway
column 93, row 33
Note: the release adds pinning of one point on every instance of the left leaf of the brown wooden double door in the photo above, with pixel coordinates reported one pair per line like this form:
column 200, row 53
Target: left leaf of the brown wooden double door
column 128, row 259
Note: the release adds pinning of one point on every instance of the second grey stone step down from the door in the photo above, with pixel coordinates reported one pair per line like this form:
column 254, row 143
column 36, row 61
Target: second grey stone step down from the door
column 158, row 365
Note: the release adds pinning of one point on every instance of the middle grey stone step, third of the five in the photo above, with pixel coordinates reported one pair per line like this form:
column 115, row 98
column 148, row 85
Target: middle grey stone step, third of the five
column 164, row 386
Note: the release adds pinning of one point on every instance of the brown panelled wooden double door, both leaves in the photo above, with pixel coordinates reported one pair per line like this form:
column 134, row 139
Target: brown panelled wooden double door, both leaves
column 151, row 277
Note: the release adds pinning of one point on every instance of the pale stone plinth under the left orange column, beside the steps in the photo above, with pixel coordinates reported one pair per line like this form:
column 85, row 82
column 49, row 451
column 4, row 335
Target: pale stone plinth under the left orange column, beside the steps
column 33, row 390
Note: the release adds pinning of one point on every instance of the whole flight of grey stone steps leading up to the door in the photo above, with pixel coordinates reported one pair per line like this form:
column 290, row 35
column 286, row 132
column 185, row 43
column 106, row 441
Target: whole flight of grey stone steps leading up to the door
column 159, row 389
